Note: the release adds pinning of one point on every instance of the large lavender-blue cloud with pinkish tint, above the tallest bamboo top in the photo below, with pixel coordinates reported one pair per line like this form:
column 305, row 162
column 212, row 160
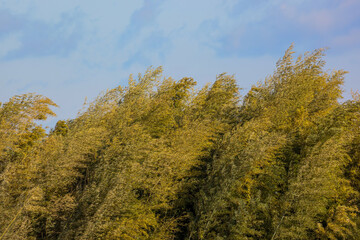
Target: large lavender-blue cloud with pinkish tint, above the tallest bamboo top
column 268, row 27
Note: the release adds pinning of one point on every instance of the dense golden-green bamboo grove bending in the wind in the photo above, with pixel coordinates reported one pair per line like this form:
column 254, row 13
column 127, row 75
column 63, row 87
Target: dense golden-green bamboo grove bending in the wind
column 160, row 159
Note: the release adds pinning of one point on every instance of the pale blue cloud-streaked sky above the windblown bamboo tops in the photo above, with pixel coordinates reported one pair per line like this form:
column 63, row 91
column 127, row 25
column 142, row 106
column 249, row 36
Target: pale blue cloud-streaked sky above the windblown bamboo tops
column 70, row 50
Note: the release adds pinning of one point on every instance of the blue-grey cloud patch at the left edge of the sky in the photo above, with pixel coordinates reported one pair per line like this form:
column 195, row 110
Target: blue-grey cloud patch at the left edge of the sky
column 35, row 38
